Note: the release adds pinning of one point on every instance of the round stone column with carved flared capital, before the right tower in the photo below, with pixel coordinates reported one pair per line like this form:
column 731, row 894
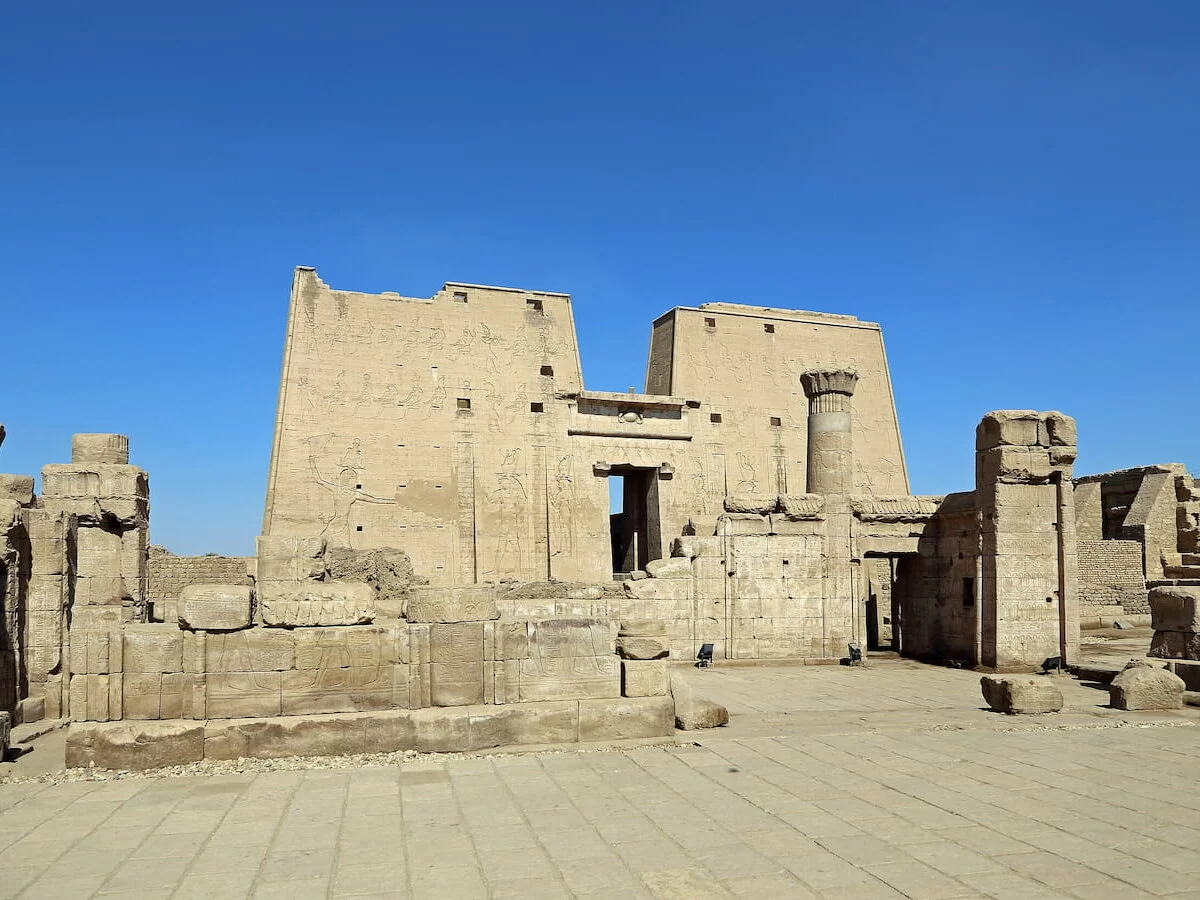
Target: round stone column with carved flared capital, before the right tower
column 831, row 442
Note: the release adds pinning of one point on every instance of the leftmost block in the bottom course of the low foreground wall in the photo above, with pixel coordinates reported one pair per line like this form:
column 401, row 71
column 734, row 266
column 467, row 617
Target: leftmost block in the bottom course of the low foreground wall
column 134, row 746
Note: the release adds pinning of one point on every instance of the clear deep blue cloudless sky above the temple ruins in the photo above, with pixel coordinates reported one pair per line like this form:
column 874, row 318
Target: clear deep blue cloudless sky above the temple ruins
column 1012, row 190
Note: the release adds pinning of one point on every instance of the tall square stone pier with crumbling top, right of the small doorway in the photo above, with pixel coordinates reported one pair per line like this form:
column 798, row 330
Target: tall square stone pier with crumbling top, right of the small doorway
column 1029, row 595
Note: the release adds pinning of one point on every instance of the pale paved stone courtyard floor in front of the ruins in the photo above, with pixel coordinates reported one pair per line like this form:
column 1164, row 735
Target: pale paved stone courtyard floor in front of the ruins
column 887, row 782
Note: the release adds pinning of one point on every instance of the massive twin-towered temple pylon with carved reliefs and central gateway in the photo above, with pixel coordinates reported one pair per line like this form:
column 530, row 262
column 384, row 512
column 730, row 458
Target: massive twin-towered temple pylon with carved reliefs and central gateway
column 458, row 427
